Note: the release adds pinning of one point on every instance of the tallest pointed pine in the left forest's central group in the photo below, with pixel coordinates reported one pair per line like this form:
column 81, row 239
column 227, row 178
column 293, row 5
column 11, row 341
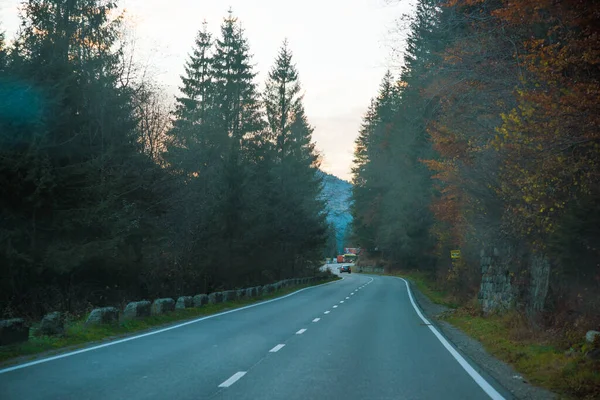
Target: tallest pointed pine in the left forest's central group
column 236, row 120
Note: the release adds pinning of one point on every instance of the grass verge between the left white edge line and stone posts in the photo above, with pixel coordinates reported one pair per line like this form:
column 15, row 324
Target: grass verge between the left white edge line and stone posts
column 78, row 335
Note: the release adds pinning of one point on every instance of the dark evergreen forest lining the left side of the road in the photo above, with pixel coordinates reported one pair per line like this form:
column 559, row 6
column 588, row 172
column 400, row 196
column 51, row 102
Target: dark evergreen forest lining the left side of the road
column 109, row 195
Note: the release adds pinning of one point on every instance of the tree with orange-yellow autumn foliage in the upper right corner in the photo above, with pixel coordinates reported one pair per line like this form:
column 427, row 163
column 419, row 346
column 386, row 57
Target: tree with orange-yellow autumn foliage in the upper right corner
column 551, row 139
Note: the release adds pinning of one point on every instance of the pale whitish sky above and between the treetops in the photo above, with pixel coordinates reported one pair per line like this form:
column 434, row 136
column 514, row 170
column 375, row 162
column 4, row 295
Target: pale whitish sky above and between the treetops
column 341, row 49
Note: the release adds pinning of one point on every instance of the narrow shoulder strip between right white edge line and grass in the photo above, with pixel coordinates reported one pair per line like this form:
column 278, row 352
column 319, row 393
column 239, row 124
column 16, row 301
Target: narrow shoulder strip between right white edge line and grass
column 503, row 373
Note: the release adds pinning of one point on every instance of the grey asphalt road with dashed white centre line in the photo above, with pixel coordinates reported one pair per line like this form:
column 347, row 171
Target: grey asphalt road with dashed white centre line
column 359, row 338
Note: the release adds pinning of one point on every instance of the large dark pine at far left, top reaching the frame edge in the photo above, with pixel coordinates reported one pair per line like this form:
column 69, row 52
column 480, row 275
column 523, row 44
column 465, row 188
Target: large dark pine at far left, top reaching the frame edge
column 81, row 205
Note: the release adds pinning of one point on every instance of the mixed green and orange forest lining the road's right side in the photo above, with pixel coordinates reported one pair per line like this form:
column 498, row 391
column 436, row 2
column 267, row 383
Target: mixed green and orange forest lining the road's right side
column 487, row 141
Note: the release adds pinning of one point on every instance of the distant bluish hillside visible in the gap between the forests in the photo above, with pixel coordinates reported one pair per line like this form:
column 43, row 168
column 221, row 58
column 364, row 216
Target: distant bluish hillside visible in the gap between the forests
column 337, row 192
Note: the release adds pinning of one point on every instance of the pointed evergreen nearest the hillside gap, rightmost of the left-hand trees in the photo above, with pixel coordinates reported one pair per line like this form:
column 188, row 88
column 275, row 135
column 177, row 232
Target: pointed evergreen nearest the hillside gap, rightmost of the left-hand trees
column 298, row 220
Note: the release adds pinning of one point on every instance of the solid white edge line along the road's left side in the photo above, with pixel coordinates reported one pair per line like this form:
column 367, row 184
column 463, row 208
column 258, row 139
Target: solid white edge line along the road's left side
column 44, row 360
